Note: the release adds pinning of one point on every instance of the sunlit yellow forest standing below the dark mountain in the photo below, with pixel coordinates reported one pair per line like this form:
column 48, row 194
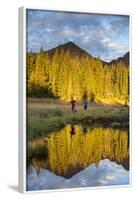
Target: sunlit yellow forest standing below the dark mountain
column 64, row 77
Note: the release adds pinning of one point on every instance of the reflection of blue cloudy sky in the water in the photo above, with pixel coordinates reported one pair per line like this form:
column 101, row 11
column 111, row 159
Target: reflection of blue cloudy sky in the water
column 107, row 173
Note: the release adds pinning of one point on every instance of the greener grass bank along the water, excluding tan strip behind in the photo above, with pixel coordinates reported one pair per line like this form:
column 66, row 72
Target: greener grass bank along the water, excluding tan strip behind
column 45, row 120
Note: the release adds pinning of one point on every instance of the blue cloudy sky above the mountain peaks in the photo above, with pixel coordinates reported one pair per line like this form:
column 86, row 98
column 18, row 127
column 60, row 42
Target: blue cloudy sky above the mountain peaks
column 101, row 35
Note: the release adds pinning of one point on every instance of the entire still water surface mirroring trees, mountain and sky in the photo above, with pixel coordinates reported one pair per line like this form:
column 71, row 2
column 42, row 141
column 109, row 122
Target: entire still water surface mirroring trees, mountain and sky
column 78, row 156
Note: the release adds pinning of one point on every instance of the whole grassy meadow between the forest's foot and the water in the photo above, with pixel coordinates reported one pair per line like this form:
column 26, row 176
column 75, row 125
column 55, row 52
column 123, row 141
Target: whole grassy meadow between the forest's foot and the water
column 48, row 115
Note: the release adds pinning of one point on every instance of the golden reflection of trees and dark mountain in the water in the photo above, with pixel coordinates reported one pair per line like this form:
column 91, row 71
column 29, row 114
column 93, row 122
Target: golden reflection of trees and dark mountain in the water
column 72, row 149
